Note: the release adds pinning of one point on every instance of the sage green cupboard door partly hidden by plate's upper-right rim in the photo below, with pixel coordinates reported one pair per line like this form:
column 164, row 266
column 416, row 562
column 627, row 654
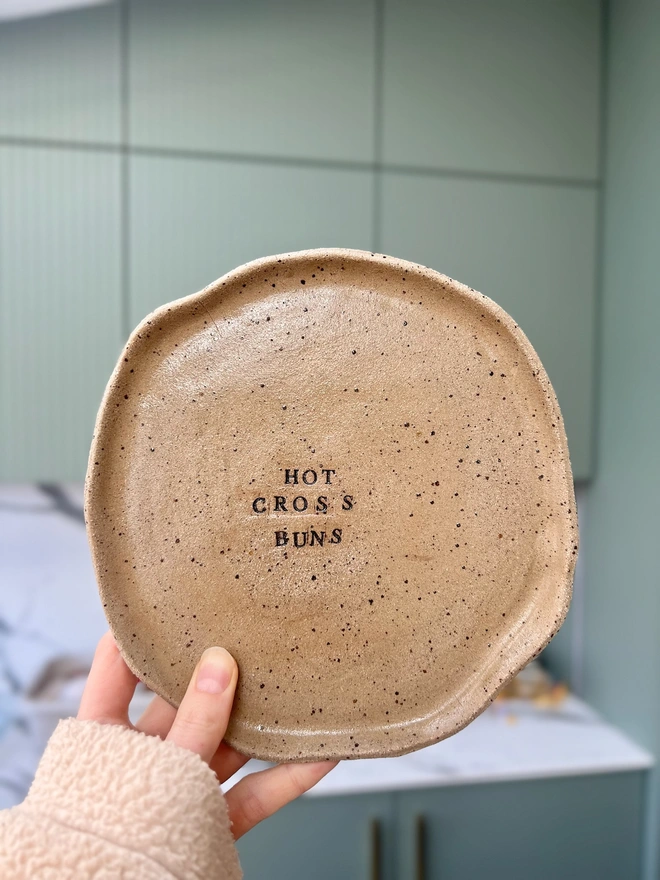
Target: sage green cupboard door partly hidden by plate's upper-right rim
column 531, row 248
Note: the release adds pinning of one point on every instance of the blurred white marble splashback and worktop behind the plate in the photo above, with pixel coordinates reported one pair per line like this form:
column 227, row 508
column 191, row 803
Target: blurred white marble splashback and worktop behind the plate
column 49, row 609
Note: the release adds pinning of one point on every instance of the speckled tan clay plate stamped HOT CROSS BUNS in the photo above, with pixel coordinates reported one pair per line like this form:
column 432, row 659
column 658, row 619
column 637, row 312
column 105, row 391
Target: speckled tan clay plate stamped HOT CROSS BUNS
column 350, row 471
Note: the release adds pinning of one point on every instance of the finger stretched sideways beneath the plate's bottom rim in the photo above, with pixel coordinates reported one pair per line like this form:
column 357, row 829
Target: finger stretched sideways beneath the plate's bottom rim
column 259, row 795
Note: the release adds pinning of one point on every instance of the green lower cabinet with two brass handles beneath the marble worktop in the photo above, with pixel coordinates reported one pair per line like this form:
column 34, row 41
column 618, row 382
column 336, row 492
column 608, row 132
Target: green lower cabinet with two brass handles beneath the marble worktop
column 577, row 828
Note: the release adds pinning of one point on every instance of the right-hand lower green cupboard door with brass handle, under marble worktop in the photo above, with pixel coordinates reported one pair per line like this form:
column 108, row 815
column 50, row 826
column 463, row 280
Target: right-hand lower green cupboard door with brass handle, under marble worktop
column 578, row 828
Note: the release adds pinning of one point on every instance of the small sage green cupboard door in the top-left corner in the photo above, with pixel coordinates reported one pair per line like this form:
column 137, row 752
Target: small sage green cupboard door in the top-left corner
column 60, row 76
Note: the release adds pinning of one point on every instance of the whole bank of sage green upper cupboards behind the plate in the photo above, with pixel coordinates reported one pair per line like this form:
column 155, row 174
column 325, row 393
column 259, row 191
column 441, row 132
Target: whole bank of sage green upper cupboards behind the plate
column 148, row 146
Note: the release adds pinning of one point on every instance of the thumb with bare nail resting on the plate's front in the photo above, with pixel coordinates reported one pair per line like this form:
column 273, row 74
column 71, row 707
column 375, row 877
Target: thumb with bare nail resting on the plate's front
column 201, row 721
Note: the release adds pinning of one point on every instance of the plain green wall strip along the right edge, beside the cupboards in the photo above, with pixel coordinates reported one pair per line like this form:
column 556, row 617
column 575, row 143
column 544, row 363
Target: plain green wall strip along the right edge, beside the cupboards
column 620, row 541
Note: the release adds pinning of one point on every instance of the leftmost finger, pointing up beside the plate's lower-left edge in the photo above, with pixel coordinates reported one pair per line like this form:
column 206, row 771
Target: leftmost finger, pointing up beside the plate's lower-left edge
column 109, row 688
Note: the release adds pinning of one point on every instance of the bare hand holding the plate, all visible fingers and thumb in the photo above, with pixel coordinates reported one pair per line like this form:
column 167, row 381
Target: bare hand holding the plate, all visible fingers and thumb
column 198, row 725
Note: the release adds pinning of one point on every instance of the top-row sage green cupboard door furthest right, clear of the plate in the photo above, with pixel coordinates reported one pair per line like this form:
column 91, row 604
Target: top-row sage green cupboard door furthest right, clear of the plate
column 508, row 87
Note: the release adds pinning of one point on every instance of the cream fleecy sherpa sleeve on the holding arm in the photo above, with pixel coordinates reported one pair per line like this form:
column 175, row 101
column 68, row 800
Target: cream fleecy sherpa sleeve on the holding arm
column 108, row 802
